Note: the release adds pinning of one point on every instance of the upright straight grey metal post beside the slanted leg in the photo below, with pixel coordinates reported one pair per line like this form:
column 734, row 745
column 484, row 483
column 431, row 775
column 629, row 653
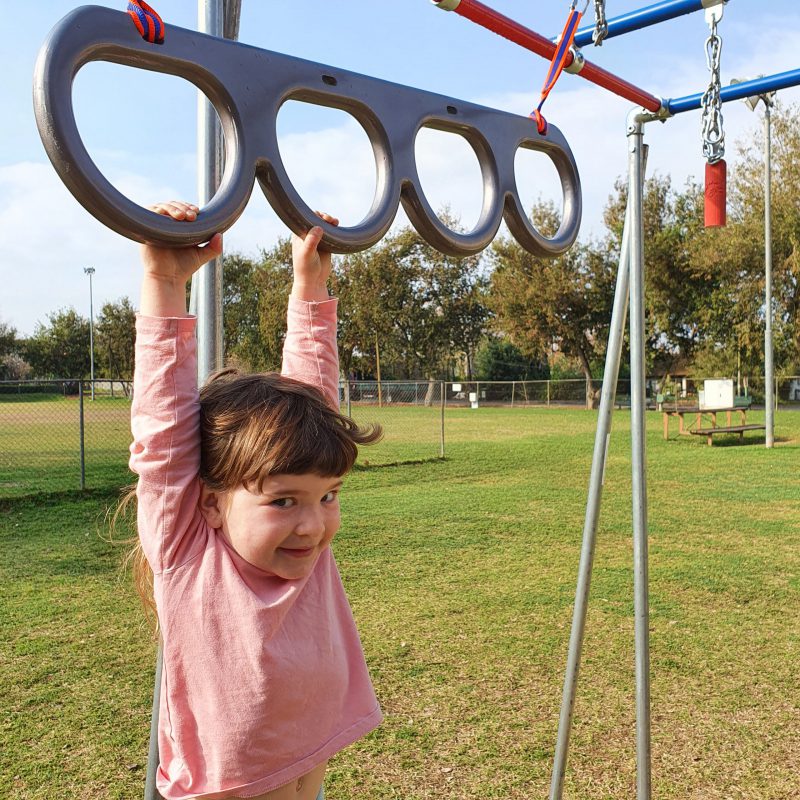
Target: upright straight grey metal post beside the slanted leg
column 638, row 460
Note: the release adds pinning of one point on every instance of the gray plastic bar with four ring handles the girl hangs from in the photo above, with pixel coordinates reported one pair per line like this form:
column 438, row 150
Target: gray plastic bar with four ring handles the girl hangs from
column 247, row 86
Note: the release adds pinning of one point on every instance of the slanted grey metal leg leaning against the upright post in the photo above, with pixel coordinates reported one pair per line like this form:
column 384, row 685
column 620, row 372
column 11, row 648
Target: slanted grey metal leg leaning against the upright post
column 596, row 481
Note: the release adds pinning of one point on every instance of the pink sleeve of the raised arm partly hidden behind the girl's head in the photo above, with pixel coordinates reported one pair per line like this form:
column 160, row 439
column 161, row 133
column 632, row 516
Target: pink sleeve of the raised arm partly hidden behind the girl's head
column 309, row 351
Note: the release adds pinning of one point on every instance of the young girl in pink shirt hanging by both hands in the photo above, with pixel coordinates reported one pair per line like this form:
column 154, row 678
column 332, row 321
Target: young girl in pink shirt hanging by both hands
column 264, row 678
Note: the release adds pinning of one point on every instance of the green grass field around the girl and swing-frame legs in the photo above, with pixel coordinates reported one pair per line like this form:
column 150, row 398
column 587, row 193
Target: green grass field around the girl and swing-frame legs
column 461, row 575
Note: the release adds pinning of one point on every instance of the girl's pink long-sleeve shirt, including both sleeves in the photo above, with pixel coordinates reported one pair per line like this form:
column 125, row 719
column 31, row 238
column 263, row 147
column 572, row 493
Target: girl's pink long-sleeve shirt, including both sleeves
column 264, row 678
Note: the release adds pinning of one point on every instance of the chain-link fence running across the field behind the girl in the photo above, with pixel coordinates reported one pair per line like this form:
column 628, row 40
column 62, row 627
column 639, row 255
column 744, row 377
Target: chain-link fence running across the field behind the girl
column 64, row 435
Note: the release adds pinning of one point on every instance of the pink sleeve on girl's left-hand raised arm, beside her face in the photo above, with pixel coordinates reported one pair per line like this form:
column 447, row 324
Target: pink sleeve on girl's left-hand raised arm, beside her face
column 165, row 453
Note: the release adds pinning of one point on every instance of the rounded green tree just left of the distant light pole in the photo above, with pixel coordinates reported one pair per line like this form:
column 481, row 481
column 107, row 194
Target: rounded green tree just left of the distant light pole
column 60, row 349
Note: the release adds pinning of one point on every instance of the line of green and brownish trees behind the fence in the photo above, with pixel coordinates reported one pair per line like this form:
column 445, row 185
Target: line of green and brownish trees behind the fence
column 407, row 311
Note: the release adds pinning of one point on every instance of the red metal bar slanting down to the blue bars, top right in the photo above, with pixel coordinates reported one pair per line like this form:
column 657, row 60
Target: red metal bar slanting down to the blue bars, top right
column 492, row 20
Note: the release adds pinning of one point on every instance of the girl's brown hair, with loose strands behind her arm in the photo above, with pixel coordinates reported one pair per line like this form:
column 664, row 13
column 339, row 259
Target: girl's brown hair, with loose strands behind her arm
column 253, row 426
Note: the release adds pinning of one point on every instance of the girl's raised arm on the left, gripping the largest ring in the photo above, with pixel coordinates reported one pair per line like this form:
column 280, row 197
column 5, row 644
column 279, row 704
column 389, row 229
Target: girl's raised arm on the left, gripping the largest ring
column 165, row 452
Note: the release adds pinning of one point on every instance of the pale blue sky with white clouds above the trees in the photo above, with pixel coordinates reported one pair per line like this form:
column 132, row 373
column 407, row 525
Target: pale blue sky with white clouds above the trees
column 140, row 127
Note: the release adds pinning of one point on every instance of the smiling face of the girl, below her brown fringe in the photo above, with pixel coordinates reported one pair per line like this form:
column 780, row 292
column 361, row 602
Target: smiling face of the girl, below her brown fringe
column 283, row 528
